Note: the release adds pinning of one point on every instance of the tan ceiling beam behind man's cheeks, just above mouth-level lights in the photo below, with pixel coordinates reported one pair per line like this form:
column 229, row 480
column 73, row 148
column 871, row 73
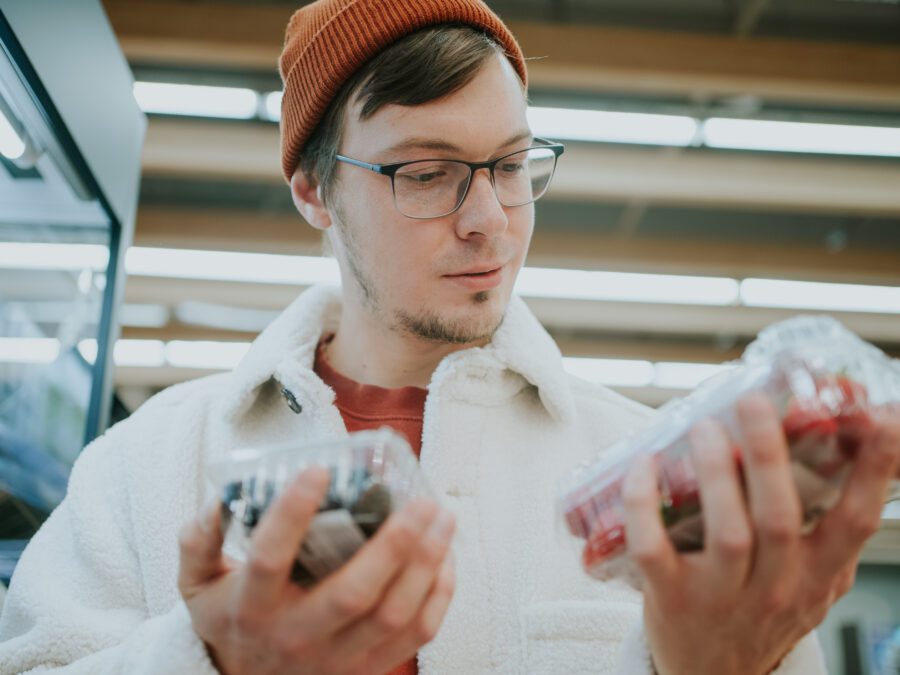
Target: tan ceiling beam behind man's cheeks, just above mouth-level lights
column 551, row 246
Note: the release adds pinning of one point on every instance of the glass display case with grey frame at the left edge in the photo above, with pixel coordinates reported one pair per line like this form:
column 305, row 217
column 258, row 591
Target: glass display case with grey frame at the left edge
column 71, row 135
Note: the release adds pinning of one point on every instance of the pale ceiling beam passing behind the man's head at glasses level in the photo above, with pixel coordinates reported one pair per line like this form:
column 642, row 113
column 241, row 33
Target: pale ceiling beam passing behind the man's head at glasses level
column 599, row 173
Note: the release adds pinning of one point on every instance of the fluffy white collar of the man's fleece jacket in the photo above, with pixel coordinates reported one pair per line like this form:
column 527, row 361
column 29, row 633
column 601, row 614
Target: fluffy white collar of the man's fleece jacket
column 520, row 347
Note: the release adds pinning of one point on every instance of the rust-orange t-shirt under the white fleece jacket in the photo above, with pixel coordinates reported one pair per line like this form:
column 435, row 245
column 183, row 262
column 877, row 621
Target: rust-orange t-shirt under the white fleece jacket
column 365, row 406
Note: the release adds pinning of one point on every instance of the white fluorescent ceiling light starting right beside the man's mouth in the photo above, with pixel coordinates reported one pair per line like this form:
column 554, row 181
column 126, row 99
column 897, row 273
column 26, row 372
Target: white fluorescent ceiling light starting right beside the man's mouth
column 541, row 282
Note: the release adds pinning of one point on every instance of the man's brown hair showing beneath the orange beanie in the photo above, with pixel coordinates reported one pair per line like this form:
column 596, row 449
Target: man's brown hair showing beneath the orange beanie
column 421, row 67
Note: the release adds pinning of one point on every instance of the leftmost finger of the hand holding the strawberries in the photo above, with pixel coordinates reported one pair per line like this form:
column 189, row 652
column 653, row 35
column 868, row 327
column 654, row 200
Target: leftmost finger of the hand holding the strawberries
column 648, row 544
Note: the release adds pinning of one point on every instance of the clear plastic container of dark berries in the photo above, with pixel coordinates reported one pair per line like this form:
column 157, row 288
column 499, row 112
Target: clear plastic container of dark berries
column 373, row 474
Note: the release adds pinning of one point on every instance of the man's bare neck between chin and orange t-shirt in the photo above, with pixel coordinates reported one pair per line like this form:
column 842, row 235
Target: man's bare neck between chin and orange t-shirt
column 365, row 350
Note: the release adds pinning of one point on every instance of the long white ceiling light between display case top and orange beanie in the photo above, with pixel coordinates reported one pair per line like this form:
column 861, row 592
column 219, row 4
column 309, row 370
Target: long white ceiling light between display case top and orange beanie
column 196, row 100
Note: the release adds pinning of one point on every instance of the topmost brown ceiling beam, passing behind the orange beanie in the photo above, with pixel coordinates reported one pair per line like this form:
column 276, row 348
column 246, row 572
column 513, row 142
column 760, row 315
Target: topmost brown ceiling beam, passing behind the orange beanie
column 591, row 58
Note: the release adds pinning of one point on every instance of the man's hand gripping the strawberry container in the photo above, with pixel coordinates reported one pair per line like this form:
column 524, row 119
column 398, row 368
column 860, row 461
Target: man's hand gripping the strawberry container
column 741, row 604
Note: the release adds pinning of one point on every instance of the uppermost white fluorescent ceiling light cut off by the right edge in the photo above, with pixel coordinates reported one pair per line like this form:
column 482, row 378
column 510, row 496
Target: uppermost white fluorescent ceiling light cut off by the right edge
column 839, row 139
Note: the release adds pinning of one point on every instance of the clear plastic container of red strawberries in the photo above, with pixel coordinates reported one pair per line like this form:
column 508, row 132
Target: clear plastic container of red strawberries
column 824, row 382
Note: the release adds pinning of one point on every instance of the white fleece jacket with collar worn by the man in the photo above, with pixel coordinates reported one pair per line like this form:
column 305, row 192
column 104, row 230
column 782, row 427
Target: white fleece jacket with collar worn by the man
column 95, row 591
